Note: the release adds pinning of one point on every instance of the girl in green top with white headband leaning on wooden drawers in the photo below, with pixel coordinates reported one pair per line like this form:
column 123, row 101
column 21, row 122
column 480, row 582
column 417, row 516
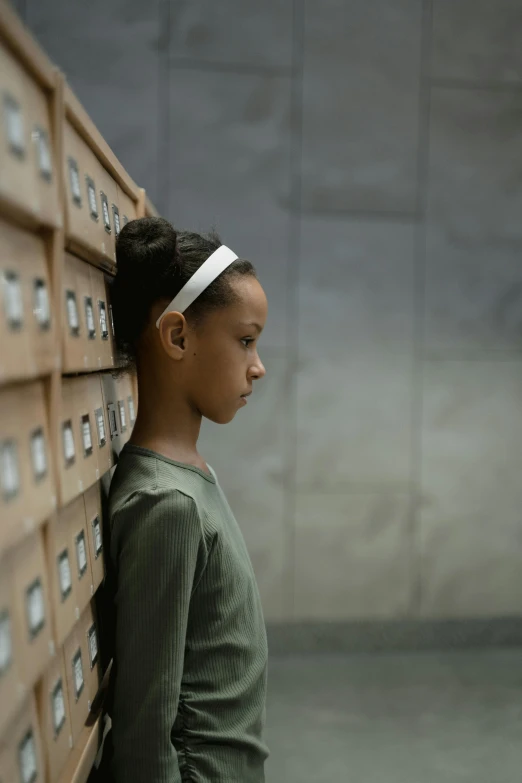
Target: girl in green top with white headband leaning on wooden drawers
column 190, row 652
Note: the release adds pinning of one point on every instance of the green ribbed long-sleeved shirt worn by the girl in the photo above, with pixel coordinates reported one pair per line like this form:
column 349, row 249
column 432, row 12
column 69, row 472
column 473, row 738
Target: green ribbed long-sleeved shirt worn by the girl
column 190, row 641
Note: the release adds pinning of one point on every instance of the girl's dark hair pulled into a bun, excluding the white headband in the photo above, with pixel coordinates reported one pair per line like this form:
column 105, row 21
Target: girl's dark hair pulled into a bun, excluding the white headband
column 154, row 261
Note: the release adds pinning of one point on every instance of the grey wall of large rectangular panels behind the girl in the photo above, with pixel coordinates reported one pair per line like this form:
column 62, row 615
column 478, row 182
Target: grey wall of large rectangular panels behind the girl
column 366, row 156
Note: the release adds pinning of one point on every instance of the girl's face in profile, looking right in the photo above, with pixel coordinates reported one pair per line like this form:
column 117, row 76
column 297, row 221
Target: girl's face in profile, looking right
column 222, row 360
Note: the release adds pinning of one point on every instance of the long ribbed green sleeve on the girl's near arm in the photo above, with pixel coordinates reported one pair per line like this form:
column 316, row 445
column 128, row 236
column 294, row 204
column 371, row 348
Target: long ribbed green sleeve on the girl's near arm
column 159, row 550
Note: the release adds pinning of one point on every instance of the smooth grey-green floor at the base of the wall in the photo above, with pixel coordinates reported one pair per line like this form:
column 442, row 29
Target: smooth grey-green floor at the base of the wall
column 419, row 718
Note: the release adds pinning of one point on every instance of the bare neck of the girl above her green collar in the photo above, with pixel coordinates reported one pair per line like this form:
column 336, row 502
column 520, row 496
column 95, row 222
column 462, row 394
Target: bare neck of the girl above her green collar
column 166, row 423
